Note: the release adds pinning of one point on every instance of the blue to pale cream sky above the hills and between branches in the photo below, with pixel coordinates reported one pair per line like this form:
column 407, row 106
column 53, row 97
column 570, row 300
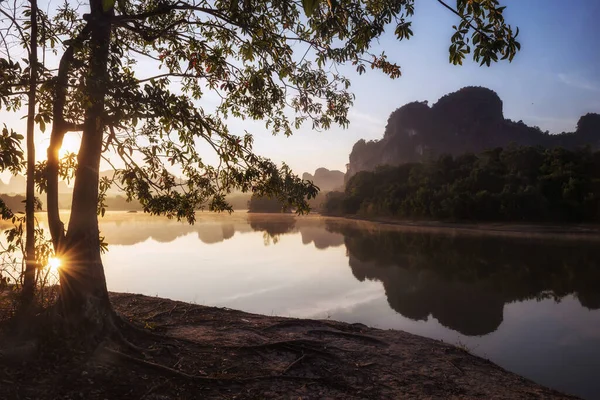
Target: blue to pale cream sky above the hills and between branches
column 552, row 82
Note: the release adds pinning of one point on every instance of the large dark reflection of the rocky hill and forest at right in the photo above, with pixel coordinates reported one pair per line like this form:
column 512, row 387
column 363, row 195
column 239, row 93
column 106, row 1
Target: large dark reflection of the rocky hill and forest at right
column 465, row 281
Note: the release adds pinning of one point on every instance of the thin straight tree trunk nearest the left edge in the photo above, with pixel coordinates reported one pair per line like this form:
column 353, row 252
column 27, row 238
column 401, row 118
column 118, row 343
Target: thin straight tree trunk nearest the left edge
column 30, row 257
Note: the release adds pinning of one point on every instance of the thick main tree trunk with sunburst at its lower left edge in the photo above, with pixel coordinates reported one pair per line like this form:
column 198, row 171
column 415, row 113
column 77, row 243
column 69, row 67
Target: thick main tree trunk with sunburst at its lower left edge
column 83, row 292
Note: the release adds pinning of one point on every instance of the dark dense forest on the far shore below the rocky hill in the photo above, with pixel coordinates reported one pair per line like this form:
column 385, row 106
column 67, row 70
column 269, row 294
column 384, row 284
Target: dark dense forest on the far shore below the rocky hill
column 511, row 184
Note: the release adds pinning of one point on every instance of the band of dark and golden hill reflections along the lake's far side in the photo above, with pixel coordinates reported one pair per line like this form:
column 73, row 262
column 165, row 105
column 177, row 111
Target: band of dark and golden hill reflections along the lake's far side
column 463, row 281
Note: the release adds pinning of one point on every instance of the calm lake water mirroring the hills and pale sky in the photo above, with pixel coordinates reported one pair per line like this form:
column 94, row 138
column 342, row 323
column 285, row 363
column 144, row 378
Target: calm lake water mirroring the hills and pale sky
column 530, row 305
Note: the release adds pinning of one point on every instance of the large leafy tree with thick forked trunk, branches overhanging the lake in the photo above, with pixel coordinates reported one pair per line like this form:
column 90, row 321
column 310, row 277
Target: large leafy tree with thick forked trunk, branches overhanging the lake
column 242, row 52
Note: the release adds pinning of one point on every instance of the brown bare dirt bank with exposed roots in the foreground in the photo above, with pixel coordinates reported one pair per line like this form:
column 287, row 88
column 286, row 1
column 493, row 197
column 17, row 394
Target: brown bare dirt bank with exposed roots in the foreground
column 198, row 352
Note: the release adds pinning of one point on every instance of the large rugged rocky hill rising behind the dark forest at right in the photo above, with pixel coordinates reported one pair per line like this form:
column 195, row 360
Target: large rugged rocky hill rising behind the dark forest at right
column 470, row 120
